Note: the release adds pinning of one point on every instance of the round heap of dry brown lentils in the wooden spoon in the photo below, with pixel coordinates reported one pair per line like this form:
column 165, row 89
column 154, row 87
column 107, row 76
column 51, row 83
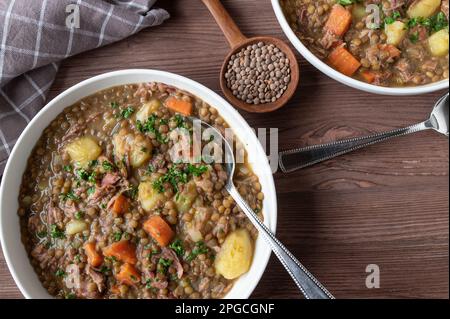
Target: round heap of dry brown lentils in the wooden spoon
column 258, row 74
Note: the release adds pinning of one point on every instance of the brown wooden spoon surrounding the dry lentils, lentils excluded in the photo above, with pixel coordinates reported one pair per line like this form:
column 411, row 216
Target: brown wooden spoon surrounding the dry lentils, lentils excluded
column 238, row 41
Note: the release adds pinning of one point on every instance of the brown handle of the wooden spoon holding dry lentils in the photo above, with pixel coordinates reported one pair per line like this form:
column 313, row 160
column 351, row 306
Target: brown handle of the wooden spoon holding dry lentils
column 225, row 22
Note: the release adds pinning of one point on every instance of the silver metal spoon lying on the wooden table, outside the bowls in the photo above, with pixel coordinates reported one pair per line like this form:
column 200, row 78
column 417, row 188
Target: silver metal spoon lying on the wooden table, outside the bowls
column 295, row 159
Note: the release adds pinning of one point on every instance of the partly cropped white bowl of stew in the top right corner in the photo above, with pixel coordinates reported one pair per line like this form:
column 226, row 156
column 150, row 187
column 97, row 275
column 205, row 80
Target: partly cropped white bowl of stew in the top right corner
column 393, row 47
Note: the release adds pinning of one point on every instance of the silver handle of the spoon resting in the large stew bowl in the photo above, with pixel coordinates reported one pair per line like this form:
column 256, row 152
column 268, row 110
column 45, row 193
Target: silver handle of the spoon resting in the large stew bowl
column 309, row 286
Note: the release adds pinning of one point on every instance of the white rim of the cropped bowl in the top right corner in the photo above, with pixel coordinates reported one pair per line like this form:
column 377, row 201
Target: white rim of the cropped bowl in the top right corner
column 332, row 73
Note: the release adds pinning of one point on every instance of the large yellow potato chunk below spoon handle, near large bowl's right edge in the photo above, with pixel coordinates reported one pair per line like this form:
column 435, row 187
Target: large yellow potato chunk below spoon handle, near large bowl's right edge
column 235, row 255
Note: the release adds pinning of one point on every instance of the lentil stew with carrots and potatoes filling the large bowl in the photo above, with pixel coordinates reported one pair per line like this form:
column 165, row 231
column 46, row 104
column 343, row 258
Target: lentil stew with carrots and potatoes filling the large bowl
column 106, row 213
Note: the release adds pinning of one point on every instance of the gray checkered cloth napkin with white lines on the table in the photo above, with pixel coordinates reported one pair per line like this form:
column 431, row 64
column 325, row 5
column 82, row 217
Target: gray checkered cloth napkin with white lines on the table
column 36, row 34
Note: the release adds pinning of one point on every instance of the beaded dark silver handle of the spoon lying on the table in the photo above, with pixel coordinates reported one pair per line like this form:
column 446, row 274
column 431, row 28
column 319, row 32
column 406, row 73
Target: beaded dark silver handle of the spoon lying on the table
column 292, row 160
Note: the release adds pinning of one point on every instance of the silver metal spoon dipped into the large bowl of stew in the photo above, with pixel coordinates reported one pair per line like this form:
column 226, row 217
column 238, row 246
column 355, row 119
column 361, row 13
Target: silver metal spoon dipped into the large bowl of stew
column 308, row 285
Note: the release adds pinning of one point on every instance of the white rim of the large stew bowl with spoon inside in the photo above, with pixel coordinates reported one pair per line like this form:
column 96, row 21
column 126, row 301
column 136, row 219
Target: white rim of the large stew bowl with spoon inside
column 262, row 249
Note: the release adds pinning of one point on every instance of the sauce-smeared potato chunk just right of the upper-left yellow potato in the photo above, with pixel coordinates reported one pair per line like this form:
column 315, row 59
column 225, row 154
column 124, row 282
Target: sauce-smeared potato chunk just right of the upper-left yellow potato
column 137, row 148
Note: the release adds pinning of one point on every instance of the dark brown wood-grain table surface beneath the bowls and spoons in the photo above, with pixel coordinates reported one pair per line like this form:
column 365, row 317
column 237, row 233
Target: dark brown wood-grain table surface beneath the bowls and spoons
column 386, row 205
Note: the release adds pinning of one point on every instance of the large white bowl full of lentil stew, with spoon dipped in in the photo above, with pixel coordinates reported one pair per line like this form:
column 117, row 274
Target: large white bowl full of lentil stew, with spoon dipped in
column 96, row 224
